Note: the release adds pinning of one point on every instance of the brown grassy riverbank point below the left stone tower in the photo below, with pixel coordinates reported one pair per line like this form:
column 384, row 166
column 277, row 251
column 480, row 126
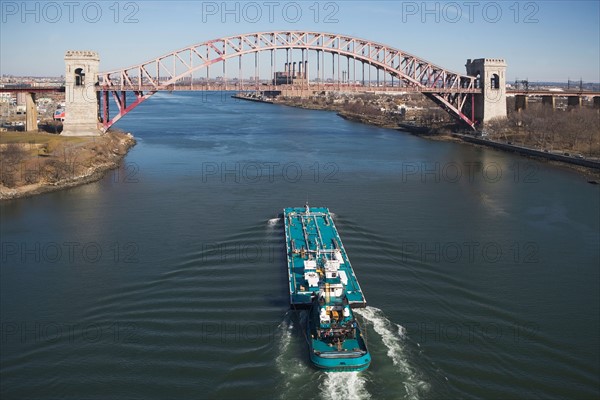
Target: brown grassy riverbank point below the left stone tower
column 35, row 163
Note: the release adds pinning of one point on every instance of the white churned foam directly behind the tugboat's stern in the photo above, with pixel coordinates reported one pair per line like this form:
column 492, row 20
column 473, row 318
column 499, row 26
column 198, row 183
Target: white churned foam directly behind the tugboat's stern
column 344, row 386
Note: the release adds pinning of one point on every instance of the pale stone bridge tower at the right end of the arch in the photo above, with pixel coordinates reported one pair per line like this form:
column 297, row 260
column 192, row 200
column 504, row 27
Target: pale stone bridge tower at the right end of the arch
column 491, row 77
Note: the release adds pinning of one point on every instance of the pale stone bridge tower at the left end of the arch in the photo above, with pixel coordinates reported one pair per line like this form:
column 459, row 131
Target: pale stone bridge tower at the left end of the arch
column 81, row 100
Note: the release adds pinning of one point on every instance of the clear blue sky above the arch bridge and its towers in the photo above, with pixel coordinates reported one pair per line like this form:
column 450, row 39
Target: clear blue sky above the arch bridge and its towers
column 540, row 40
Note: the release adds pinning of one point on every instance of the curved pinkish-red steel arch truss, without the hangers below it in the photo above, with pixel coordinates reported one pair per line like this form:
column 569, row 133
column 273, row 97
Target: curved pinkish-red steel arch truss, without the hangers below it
column 448, row 89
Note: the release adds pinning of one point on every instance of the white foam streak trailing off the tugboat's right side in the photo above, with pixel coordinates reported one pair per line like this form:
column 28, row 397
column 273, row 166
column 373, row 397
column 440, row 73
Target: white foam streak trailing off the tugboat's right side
column 392, row 336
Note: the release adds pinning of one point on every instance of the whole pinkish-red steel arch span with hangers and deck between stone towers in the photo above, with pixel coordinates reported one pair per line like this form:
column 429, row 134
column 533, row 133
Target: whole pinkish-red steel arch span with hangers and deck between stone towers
column 175, row 71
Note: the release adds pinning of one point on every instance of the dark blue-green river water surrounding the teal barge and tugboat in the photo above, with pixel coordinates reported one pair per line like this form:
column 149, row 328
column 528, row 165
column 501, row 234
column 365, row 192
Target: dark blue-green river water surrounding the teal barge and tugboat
column 167, row 279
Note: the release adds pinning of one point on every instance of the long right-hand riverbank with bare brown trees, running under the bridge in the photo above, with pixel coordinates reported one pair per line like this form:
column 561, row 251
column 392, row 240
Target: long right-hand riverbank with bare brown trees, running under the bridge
column 409, row 114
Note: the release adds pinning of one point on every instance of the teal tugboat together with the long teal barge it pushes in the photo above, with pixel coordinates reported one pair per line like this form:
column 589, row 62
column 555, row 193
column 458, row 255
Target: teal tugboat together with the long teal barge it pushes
column 322, row 280
